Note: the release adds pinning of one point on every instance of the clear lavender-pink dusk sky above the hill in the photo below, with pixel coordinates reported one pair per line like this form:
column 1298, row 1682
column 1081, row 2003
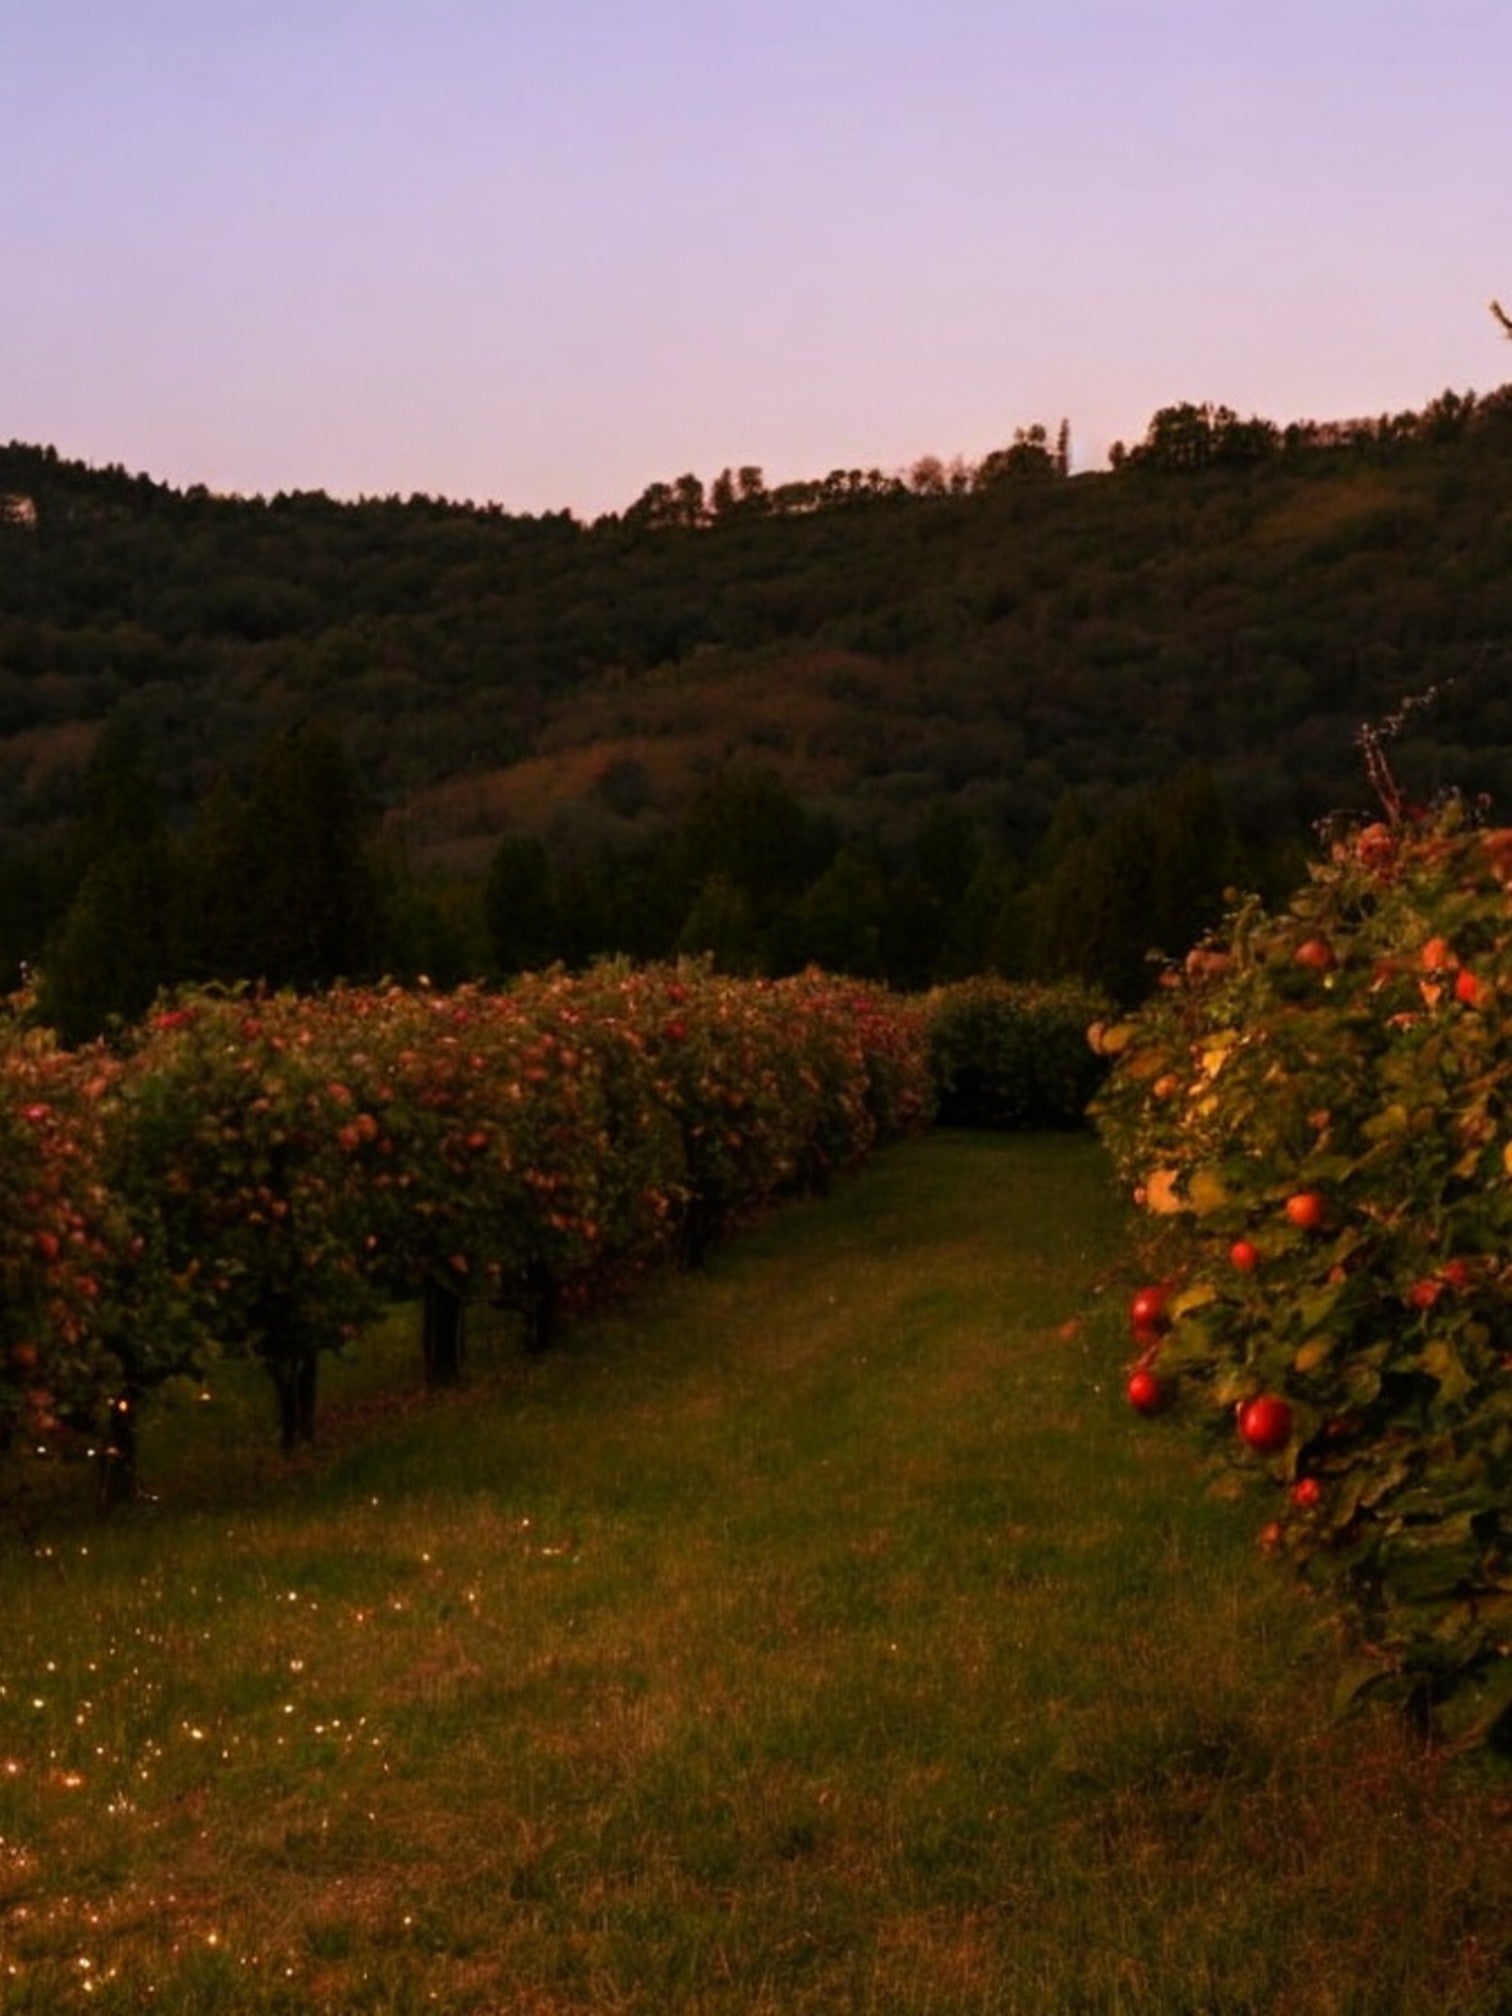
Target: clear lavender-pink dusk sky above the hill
column 545, row 253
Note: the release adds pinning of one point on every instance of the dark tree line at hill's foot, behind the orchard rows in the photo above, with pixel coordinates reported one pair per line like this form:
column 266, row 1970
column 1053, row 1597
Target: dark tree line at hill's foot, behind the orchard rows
column 291, row 884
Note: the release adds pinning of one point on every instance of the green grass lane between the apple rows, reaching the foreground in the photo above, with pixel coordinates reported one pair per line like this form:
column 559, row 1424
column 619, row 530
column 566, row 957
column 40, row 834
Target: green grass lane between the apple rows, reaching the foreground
column 820, row 1634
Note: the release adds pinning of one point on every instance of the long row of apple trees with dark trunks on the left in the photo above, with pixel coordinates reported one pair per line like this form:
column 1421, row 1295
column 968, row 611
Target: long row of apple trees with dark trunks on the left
column 261, row 1174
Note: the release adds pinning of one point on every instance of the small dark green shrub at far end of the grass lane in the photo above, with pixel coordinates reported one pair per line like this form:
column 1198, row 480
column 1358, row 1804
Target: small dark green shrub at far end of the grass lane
column 1013, row 1055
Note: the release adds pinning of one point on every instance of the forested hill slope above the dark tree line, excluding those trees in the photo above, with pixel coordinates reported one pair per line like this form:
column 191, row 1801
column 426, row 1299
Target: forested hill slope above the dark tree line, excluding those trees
column 987, row 640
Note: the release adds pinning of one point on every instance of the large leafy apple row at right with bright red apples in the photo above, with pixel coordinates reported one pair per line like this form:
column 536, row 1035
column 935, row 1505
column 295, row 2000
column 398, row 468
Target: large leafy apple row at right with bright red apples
column 1317, row 1116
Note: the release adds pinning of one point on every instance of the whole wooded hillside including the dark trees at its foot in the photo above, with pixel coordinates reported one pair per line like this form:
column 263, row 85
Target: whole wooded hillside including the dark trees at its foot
column 910, row 727
